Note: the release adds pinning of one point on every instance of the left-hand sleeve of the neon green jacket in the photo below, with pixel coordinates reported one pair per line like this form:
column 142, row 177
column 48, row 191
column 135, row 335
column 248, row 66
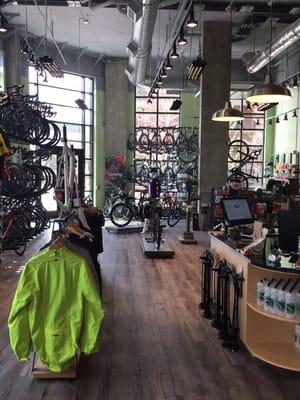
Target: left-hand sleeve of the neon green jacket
column 18, row 320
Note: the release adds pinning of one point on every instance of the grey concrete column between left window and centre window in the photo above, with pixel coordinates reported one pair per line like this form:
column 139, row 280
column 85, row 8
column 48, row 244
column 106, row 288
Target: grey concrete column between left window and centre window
column 116, row 107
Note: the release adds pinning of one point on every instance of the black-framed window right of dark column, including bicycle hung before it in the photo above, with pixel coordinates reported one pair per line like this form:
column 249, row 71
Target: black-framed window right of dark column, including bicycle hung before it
column 246, row 140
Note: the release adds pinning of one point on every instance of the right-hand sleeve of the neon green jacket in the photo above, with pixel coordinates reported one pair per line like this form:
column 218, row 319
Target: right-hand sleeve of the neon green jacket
column 93, row 313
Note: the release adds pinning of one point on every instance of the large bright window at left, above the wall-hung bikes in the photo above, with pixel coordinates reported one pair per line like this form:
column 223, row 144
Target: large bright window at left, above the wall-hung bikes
column 61, row 94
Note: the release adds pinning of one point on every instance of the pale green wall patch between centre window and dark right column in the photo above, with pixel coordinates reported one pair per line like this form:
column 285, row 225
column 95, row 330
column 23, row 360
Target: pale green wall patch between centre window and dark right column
column 189, row 110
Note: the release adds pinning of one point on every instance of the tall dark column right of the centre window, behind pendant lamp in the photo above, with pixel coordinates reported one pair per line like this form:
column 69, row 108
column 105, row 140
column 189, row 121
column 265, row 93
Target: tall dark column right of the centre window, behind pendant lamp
column 215, row 90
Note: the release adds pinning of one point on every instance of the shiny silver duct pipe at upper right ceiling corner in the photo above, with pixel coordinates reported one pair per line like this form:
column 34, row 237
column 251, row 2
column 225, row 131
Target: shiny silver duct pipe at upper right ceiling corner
column 284, row 40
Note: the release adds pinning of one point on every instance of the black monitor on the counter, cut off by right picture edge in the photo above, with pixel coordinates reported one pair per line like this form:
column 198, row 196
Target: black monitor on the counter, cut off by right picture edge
column 288, row 231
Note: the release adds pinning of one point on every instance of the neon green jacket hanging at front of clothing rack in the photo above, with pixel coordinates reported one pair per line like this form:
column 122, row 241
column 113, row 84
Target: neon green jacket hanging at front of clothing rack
column 56, row 309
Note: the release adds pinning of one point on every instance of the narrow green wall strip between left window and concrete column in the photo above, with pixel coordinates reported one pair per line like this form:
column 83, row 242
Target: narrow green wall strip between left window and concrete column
column 99, row 148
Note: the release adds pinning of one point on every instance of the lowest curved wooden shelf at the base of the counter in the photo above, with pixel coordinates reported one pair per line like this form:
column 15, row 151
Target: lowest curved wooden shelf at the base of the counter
column 283, row 355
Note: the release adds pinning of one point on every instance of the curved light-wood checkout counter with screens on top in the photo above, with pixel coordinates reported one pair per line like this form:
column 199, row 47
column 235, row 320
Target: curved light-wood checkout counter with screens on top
column 267, row 333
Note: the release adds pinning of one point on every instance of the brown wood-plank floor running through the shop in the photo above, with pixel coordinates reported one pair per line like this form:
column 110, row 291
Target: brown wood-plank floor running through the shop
column 155, row 345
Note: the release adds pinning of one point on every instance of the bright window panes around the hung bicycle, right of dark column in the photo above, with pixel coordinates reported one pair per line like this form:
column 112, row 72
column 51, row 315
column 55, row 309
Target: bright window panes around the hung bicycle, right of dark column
column 251, row 131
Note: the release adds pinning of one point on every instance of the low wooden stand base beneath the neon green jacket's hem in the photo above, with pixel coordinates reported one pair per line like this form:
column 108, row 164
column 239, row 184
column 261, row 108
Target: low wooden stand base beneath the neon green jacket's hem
column 40, row 371
